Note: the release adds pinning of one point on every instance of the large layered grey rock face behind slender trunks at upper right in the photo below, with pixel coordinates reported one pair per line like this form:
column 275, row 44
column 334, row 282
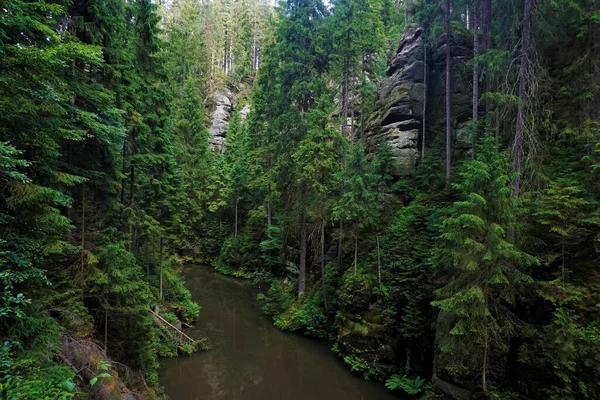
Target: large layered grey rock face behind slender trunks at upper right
column 398, row 112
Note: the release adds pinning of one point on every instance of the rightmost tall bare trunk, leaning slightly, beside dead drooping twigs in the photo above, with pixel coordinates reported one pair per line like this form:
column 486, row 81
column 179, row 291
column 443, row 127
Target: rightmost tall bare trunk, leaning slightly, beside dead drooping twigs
column 523, row 71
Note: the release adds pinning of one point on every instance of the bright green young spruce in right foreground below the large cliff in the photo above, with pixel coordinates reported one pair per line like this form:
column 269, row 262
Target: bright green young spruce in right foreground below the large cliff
column 482, row 268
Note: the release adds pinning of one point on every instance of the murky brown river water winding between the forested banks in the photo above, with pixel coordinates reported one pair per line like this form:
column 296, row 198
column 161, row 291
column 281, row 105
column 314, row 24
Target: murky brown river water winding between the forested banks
column 249, row 358
